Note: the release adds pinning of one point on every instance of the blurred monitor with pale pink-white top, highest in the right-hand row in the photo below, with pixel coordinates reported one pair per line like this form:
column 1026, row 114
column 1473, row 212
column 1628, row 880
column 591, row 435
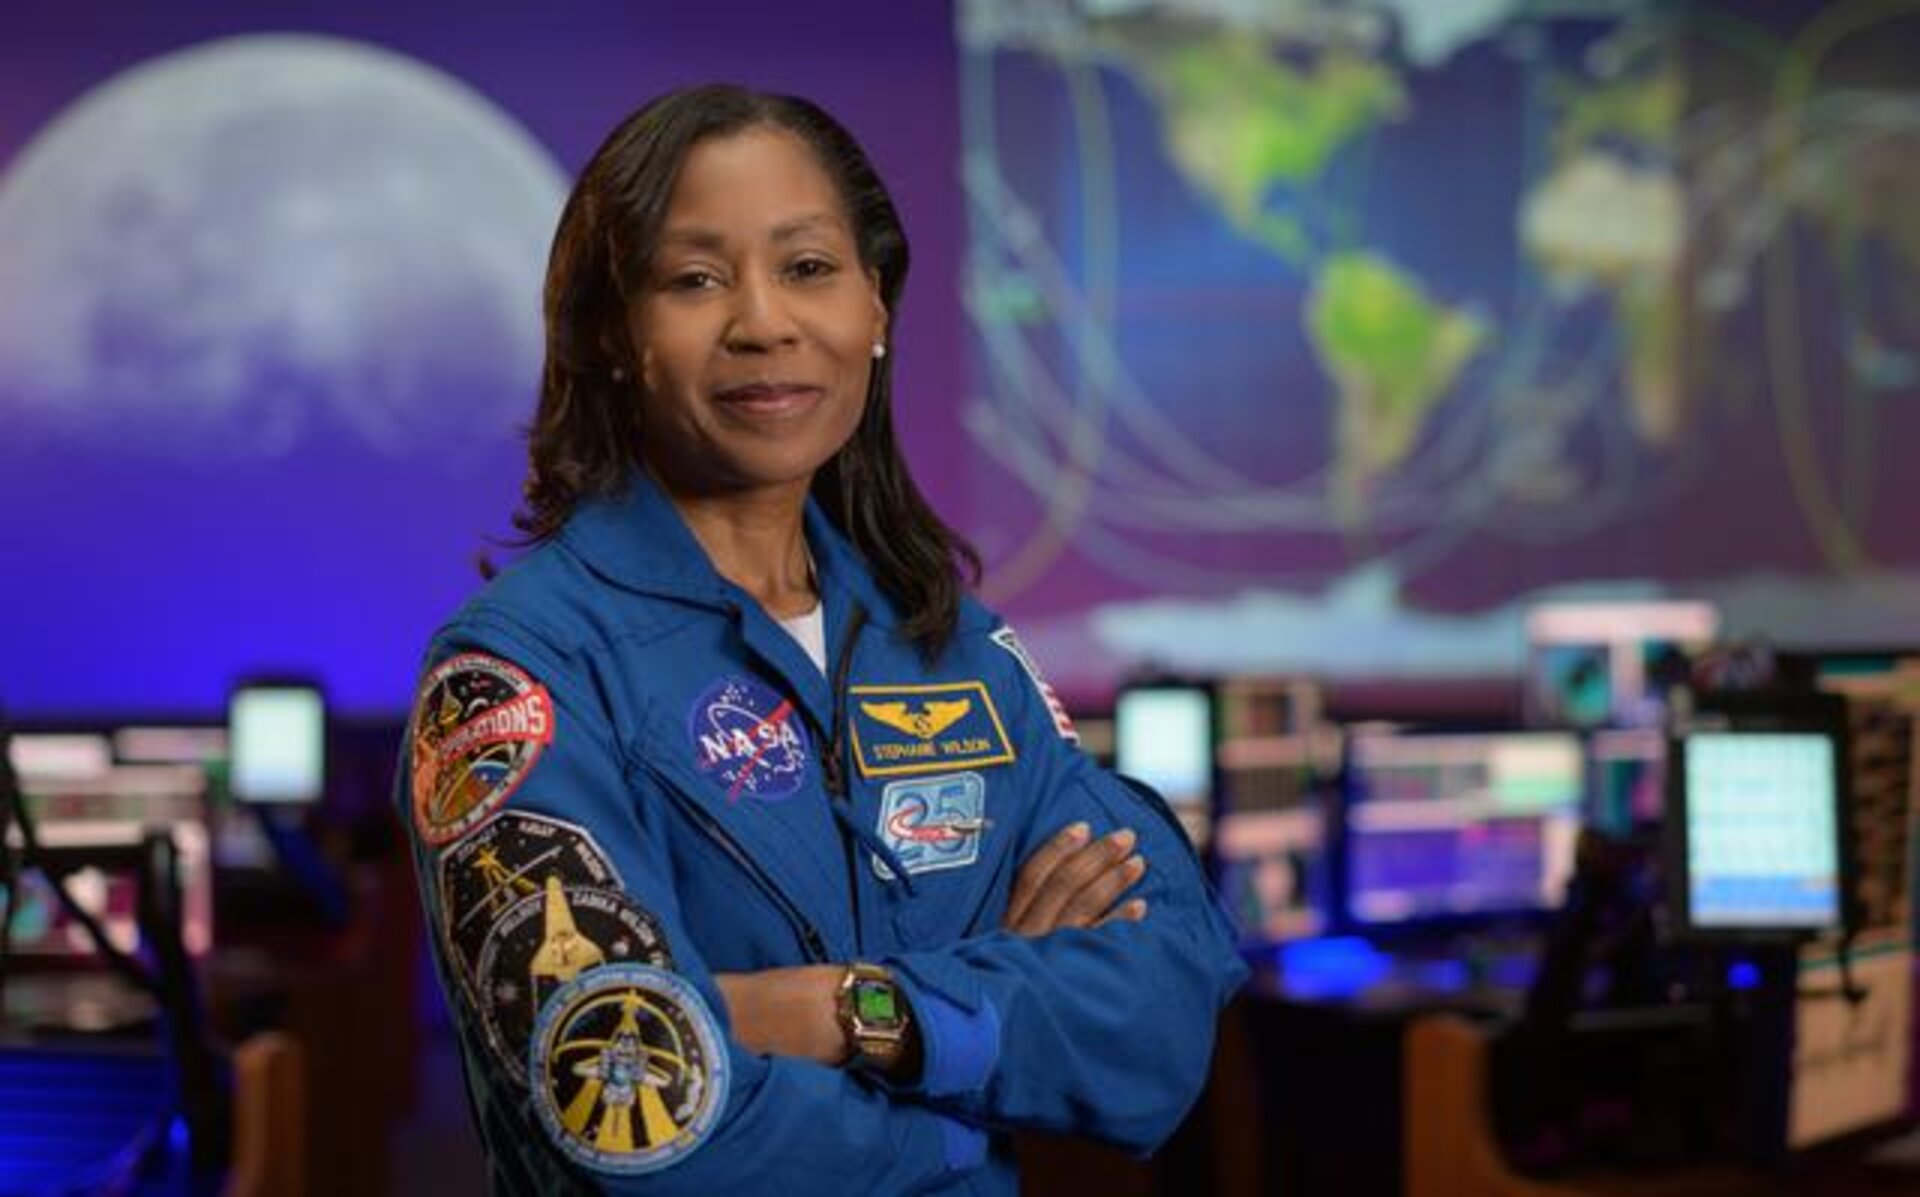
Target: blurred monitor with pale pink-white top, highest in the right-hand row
column 1612, row 664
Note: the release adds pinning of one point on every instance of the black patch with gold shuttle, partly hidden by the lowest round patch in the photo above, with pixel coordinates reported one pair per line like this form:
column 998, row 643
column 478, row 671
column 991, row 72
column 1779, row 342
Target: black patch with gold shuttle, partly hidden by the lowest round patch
column 548, row 940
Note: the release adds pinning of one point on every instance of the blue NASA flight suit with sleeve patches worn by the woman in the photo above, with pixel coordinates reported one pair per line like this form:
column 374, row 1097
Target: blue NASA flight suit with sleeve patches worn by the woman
column 754, row 814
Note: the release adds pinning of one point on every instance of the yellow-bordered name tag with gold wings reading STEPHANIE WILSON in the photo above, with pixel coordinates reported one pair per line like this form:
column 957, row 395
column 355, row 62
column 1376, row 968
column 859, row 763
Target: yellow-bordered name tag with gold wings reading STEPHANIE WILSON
column 926, row 729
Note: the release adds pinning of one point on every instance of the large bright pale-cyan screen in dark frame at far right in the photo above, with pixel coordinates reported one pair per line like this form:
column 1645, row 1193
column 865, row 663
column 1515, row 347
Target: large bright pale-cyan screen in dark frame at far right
column 1762, row 831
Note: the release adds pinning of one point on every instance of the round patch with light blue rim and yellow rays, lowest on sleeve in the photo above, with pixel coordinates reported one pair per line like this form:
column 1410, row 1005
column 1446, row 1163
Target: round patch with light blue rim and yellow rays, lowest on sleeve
column 629, row 1069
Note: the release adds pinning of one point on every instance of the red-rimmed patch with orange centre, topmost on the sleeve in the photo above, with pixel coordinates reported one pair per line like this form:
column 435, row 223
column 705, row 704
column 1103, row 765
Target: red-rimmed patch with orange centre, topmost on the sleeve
column 477, row 731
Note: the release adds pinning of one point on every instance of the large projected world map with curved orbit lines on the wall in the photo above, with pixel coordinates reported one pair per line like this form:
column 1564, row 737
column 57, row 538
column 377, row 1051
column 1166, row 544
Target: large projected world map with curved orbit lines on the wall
column 1358, row 326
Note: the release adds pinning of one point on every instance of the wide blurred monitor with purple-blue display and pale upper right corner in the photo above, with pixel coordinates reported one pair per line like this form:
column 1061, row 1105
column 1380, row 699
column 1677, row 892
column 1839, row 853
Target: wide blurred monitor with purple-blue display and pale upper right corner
column 1458, row 825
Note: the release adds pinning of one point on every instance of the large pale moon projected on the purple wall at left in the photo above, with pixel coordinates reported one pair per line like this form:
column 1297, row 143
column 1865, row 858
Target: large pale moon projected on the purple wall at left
column 228, row 249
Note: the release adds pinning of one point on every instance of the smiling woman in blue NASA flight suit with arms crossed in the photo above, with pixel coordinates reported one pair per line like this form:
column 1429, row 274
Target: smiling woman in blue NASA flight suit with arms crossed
column 721, row 910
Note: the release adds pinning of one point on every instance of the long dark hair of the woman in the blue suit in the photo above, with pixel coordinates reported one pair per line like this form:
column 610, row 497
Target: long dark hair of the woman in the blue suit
column 585, row 439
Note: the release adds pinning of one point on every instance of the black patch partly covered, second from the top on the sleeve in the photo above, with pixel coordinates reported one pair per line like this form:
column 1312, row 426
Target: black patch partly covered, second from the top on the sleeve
column 502, row 864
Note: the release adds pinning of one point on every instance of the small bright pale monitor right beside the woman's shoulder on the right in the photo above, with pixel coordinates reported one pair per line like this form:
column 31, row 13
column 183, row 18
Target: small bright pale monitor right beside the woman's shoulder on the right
column 1164, row 737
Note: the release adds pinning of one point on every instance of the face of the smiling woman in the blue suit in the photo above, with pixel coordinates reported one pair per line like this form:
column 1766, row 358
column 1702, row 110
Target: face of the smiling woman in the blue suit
column 756, row 330
